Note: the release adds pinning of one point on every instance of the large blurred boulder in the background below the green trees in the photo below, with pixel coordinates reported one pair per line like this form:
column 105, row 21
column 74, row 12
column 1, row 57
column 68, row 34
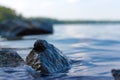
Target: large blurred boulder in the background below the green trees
column 17, row 28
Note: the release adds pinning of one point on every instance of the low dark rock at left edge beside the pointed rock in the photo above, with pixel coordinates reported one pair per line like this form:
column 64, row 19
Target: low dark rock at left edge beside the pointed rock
column 10, row 58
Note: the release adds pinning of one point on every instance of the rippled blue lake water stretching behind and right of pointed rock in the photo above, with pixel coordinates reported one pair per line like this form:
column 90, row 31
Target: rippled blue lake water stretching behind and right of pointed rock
column 93, row 47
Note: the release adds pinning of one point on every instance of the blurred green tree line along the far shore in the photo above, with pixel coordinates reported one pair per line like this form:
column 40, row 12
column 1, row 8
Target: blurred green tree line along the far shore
column 8, row 13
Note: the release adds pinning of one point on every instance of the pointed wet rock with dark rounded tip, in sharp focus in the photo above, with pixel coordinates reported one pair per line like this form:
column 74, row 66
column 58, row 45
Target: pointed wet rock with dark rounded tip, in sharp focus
column 46, row 58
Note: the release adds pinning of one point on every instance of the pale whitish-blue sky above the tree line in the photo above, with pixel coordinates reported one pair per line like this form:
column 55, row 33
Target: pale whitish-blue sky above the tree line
column 66, row 9
